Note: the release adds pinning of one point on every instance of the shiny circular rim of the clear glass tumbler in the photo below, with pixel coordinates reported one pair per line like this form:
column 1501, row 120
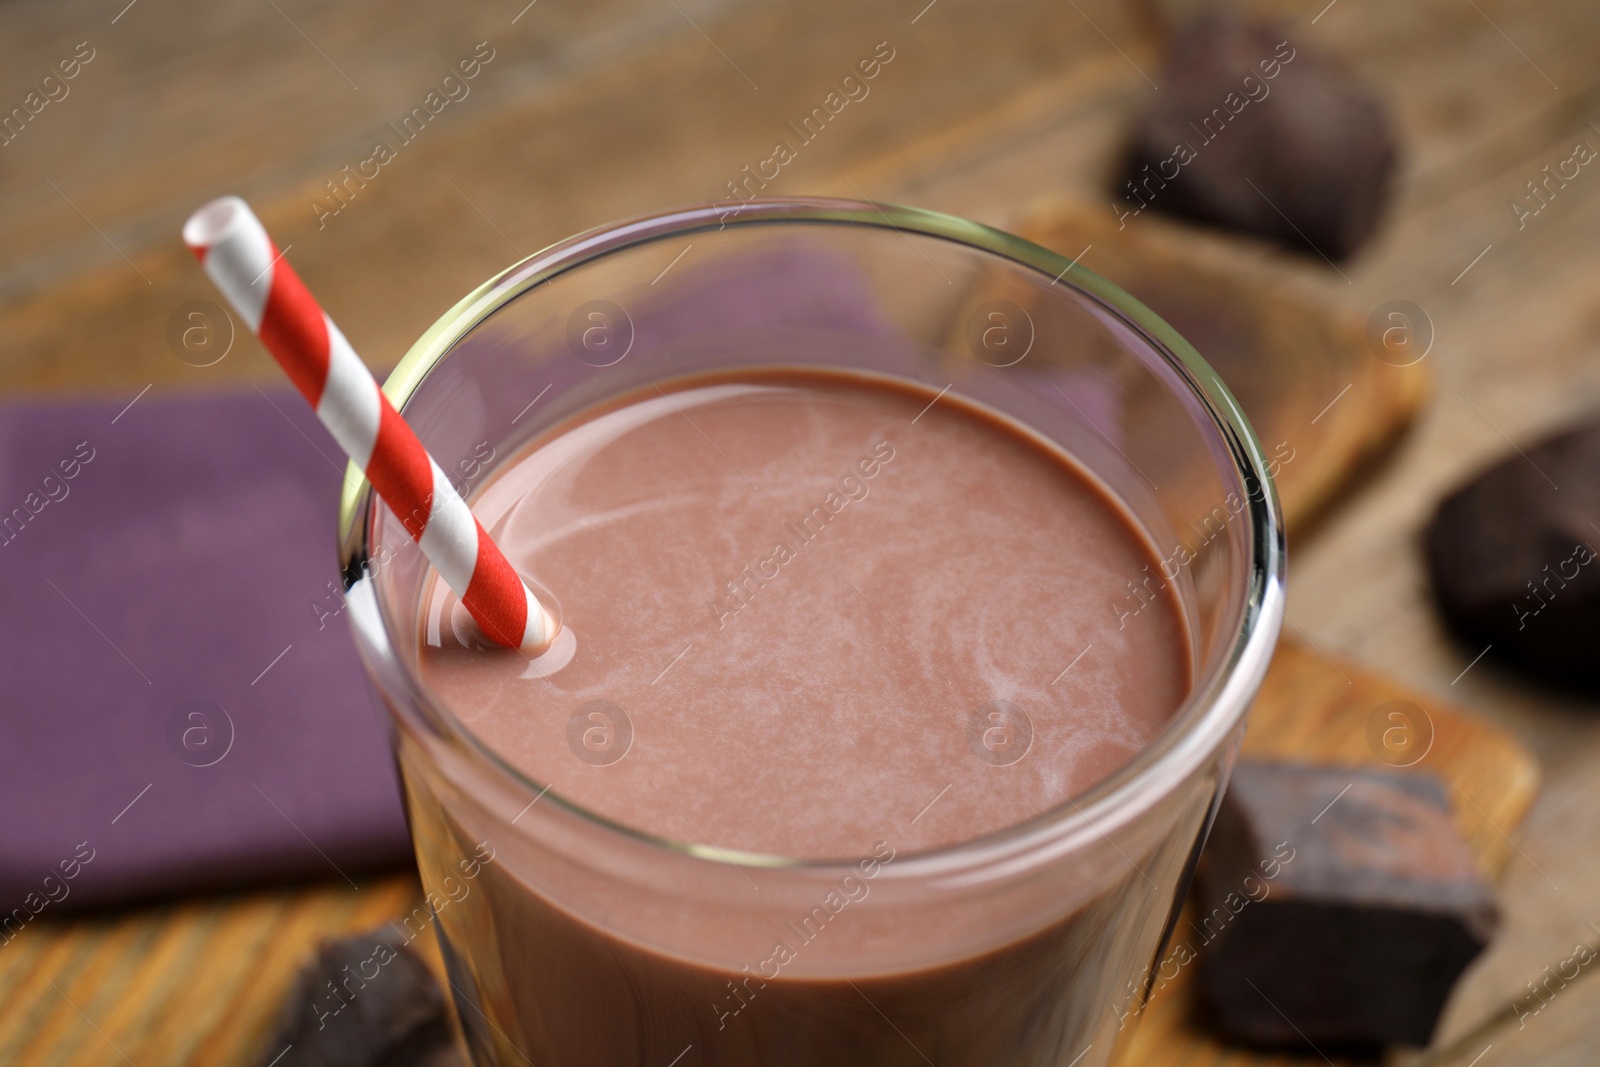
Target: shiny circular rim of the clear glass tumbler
column 1217, row 703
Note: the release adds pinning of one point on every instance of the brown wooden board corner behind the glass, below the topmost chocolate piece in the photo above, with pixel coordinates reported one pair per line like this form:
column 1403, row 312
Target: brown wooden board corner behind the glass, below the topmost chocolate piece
column 1316, row 383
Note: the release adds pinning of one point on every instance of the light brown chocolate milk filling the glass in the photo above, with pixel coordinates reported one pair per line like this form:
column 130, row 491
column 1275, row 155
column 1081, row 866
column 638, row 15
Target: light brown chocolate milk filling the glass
column 810, row 617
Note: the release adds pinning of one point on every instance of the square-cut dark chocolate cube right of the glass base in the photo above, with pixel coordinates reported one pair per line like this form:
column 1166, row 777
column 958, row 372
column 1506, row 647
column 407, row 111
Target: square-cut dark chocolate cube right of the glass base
column 1337, row 906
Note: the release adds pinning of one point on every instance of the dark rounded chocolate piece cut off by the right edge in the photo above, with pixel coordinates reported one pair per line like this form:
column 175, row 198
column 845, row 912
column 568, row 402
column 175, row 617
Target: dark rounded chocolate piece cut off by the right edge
column 1513, row 557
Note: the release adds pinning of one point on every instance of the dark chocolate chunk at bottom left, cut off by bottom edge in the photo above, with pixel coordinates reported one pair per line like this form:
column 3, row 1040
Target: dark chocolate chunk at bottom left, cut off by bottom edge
column 364, row 1002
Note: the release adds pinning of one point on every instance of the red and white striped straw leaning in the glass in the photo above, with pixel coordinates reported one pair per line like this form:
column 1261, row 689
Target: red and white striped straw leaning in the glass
column 244, row 263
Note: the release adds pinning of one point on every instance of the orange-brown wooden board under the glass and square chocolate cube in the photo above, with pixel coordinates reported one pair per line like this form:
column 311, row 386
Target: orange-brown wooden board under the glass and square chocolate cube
column 201, row 981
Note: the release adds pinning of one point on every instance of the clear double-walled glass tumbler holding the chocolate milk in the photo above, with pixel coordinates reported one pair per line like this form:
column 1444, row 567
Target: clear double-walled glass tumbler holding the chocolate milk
column 575, row 941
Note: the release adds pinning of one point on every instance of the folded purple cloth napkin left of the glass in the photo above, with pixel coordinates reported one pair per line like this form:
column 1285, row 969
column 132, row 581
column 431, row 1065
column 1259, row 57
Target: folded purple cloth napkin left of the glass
column 183, row 703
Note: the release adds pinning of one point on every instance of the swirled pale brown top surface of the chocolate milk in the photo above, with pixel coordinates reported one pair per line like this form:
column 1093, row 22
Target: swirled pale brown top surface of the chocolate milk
column 802, row 601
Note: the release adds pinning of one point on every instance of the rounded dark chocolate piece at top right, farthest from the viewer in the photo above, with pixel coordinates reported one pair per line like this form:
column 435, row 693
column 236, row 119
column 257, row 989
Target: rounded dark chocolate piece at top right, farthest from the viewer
column 1262, row 135
